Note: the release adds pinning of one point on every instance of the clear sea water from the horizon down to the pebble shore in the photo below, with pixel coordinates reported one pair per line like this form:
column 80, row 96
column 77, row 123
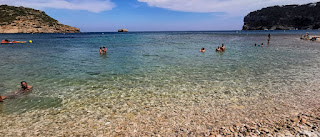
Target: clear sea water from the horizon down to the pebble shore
column 156, row 82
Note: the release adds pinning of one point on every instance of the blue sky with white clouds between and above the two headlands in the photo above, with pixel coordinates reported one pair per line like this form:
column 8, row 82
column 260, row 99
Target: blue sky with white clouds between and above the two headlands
column 151, row 15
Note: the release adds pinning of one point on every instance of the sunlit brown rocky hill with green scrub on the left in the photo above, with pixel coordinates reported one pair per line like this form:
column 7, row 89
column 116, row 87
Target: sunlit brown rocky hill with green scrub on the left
column 27, row 20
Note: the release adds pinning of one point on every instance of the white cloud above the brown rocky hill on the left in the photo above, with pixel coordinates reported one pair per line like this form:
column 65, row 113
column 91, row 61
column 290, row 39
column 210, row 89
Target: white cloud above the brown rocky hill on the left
column 89, row 5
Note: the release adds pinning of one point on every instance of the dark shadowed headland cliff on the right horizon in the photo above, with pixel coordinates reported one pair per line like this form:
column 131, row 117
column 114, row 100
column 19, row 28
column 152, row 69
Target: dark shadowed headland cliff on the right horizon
column 289, row 17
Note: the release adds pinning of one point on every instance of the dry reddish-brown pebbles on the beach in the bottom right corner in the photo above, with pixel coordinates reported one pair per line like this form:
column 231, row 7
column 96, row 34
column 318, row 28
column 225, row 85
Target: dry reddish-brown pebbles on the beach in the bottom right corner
column 305, row 124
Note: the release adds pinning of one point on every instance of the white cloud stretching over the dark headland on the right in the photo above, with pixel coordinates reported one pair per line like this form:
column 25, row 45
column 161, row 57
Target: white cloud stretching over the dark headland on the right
column 232, row 7
